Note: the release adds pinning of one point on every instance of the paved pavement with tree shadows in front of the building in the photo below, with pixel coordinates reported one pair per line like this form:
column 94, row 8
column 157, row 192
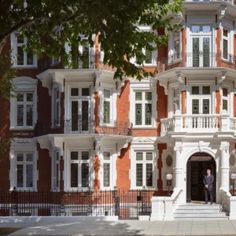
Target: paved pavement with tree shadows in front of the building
column 80, row 226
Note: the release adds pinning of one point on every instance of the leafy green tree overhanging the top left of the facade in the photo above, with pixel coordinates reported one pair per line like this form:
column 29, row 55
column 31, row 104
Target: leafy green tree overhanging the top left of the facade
column 49, row 24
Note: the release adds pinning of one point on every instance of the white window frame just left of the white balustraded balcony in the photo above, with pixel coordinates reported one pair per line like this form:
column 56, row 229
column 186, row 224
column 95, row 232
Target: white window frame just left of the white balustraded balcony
column 143, row 86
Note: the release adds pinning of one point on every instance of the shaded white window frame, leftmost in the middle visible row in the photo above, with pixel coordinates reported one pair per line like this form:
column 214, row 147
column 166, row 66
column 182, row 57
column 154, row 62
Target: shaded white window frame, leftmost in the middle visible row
column 23, row 85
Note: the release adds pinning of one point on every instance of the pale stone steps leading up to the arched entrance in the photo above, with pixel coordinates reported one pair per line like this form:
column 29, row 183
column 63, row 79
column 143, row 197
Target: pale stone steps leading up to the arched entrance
column 199, row 211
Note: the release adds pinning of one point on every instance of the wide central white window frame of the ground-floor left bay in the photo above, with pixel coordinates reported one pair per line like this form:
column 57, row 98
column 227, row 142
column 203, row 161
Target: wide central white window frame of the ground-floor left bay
column 79, row 163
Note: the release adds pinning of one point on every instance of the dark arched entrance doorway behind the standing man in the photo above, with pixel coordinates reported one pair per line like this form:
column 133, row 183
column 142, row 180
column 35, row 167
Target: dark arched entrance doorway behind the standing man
column 196, row 169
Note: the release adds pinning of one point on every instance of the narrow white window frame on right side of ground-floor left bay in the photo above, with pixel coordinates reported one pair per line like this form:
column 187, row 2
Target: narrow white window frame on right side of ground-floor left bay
column 113, row 173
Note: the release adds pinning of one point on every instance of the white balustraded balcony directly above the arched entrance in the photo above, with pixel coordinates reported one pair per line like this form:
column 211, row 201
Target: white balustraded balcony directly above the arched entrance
column 206, row 123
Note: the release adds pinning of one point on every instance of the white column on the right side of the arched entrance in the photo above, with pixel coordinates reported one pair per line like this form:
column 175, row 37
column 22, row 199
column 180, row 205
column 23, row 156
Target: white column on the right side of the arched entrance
column 224, row 166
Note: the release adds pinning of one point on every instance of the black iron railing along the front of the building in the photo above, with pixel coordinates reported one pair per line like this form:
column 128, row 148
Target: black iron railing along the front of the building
column 126, row 204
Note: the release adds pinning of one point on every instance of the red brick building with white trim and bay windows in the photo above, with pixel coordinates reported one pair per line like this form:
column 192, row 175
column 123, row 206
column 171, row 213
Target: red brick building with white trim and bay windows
column 78, row 129
